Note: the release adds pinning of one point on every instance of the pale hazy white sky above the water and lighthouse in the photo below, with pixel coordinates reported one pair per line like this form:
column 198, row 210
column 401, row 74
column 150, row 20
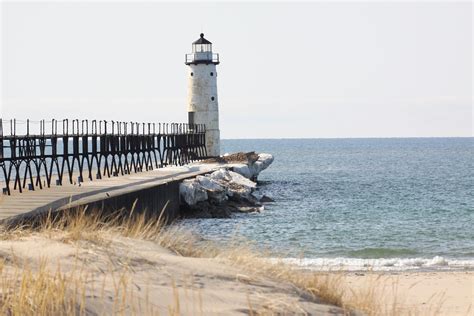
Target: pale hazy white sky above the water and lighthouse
column 288, row 70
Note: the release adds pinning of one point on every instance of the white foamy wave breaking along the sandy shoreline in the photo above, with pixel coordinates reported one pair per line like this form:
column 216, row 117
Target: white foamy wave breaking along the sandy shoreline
column 382, row 264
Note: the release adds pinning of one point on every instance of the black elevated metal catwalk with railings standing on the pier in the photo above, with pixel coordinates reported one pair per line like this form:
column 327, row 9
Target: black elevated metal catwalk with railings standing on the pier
column 34, row 153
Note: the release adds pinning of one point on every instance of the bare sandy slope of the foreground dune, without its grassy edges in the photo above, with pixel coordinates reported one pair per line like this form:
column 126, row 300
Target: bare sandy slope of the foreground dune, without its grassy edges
column 141, row 277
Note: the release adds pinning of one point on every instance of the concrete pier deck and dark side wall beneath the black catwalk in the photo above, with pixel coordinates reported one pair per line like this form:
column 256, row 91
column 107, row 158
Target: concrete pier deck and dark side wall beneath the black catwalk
column 150, row 190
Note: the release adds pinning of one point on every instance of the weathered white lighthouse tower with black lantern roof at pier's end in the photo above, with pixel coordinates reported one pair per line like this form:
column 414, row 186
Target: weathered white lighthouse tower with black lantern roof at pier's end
column 202, row 92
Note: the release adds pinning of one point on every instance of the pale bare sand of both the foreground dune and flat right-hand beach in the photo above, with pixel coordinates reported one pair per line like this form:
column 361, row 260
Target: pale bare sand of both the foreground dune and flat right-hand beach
column 119, row 274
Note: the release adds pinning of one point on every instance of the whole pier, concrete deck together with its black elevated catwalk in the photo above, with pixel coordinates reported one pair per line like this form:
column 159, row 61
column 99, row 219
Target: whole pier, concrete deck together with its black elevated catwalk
column 57, row 165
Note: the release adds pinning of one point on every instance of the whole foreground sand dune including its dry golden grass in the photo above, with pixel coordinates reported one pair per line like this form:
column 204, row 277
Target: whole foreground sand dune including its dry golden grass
column 87, row 262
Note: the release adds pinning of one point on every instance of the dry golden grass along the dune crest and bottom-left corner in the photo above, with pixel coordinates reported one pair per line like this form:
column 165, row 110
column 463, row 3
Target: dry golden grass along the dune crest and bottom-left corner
column 41, row 292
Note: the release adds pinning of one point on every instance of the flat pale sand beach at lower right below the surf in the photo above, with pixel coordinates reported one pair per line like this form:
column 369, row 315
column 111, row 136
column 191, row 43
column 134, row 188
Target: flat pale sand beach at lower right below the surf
column 418, row 293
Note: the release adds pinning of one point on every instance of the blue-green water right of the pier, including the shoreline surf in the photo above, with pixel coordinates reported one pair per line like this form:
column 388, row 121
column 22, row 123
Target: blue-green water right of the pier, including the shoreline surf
column 378, row 203
